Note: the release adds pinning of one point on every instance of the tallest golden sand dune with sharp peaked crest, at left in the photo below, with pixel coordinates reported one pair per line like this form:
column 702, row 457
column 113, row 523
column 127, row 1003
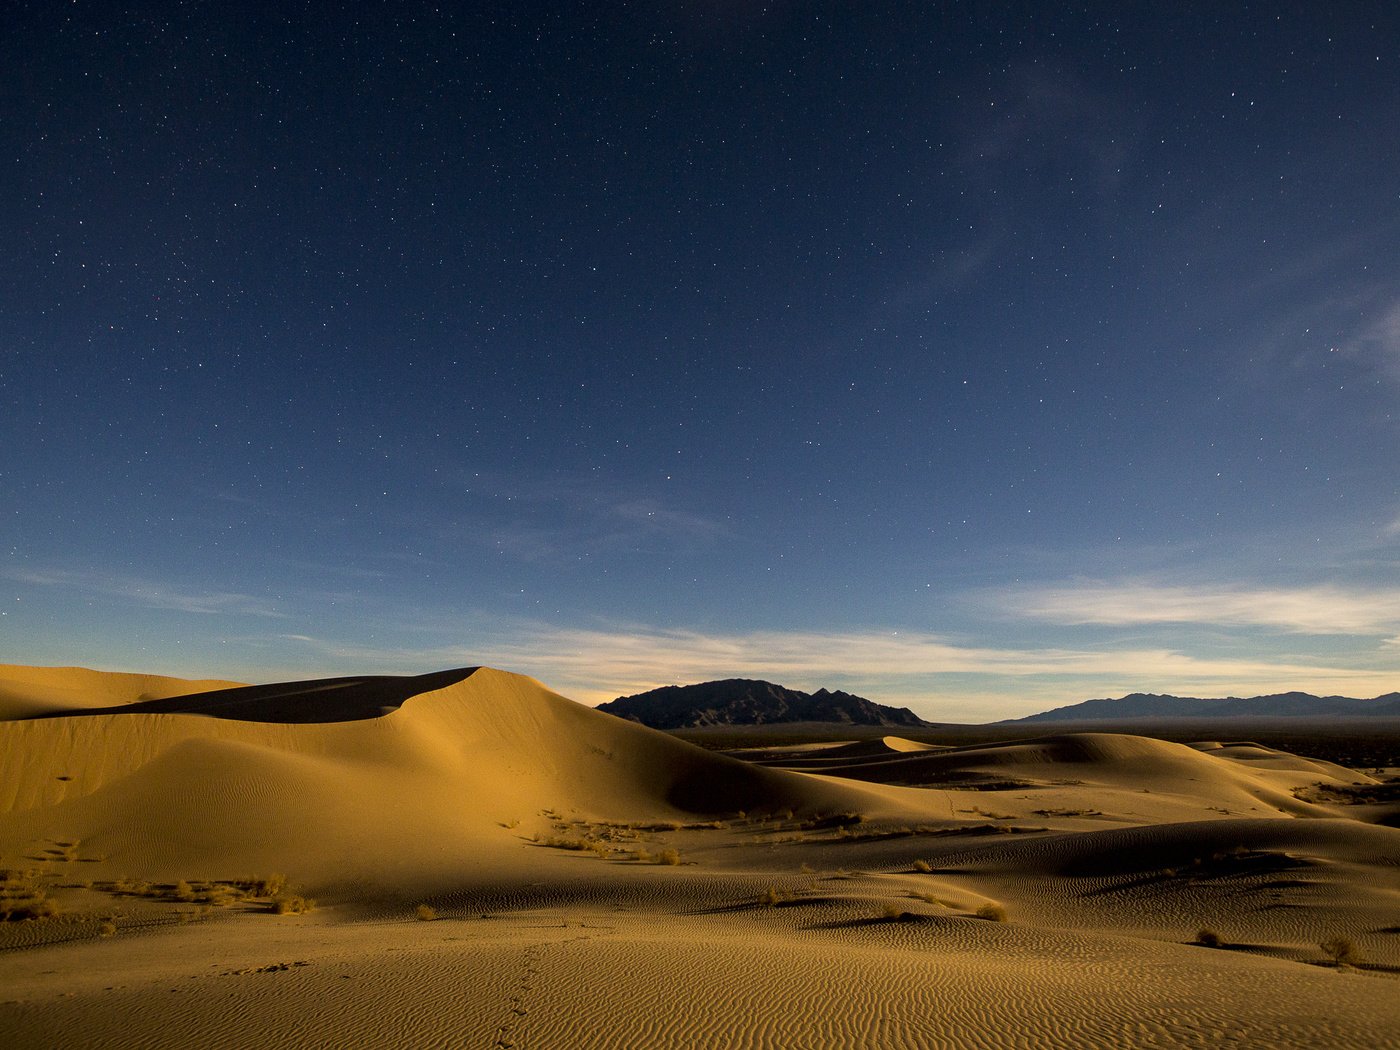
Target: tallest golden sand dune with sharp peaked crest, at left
column 429, row 786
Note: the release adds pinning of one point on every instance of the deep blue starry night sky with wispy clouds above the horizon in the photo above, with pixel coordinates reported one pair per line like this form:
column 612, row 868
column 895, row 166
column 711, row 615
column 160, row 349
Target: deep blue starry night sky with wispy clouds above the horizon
column 975, row 358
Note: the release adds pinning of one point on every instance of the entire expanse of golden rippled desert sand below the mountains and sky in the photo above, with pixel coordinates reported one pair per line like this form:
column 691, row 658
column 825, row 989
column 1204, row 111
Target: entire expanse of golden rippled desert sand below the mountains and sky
column 467, row 859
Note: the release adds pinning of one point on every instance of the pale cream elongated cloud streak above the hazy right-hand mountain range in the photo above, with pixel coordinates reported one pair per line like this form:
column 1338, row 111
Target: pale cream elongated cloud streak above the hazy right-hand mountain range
column 1301, row 610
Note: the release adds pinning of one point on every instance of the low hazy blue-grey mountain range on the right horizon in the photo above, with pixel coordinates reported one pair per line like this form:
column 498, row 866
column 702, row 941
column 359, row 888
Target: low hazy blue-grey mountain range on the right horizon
column 1270, row 706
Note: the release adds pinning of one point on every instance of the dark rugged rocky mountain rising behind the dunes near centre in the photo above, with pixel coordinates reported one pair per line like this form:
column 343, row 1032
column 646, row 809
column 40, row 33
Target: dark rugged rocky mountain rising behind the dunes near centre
column 751, row 702
